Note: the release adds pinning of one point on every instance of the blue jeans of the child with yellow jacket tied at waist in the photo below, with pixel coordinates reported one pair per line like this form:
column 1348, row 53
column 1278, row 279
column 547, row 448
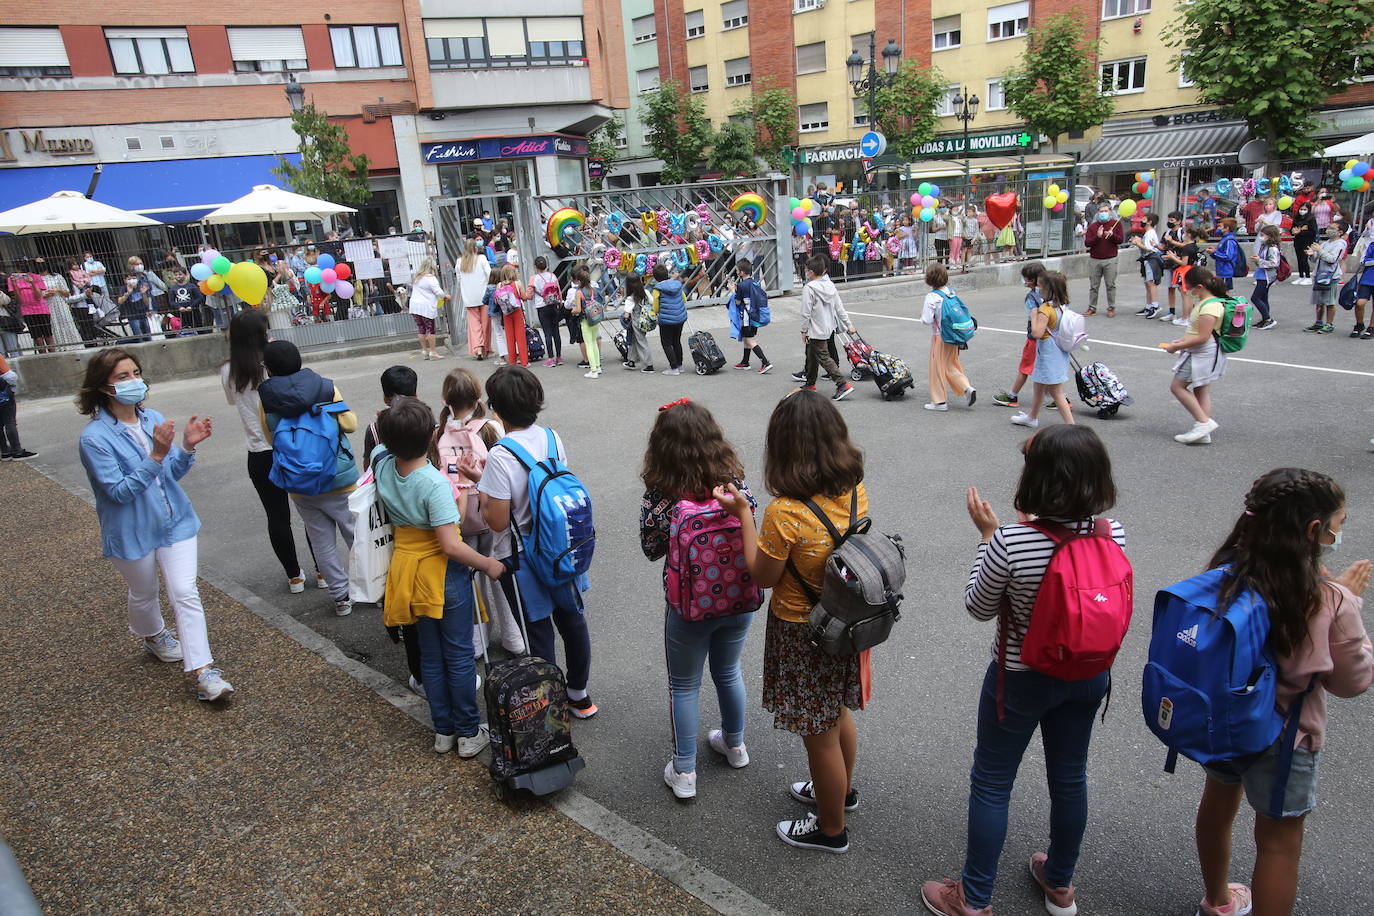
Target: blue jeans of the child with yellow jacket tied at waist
column 447, row 657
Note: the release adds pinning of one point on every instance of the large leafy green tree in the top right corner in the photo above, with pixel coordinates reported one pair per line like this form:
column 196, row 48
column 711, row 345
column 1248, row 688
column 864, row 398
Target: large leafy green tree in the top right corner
column 1272, row 62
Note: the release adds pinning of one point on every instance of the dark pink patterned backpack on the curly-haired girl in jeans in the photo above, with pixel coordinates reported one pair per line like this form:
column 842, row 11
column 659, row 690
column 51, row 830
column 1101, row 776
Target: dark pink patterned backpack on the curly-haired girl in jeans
column 706, row 576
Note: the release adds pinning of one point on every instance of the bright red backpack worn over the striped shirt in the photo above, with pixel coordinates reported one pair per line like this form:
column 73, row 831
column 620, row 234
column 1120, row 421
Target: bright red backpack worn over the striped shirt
column 1082, row 610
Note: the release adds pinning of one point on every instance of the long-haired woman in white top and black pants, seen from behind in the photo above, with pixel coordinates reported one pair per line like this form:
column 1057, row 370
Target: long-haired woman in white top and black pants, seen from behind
column 241, row 377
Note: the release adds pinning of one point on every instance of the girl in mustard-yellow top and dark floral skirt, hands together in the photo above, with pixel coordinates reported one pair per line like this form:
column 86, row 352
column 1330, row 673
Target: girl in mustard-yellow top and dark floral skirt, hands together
column 809, row 457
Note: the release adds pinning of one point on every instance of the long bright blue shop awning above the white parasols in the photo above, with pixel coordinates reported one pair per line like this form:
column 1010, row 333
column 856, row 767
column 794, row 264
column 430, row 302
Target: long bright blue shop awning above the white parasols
column 175, row 192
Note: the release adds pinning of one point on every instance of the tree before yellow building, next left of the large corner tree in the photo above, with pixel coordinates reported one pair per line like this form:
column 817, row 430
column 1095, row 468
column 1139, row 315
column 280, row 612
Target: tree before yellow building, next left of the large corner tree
column 1057, row 87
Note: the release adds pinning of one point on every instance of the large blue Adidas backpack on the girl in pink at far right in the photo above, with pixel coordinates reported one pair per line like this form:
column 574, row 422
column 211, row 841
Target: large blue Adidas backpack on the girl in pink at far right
column 1210, row 689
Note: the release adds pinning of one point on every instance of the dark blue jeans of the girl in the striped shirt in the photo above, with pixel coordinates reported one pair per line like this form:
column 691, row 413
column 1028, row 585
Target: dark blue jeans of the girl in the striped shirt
column 1064, row 711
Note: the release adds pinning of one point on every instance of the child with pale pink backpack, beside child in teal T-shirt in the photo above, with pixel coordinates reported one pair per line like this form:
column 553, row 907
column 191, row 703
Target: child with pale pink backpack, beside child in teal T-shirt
column 462, row 442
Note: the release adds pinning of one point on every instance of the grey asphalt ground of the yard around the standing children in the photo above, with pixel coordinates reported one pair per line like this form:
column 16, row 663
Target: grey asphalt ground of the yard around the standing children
column 1294, row 400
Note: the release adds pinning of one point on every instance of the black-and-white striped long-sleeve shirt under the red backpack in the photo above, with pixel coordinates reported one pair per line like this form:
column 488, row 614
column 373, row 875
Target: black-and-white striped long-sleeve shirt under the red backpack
column 1012, row 565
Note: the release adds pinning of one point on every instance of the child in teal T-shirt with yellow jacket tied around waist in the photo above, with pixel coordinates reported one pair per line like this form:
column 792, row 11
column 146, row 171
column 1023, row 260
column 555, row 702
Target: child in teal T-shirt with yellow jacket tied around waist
column 431, row 579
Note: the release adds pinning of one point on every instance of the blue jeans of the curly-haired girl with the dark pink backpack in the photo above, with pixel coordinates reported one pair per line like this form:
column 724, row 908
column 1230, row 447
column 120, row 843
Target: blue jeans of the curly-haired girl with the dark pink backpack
column 688, row 646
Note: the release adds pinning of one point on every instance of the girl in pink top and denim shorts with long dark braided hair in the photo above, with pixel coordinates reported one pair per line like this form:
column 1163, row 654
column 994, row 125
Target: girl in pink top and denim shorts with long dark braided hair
column 1316, row 645
